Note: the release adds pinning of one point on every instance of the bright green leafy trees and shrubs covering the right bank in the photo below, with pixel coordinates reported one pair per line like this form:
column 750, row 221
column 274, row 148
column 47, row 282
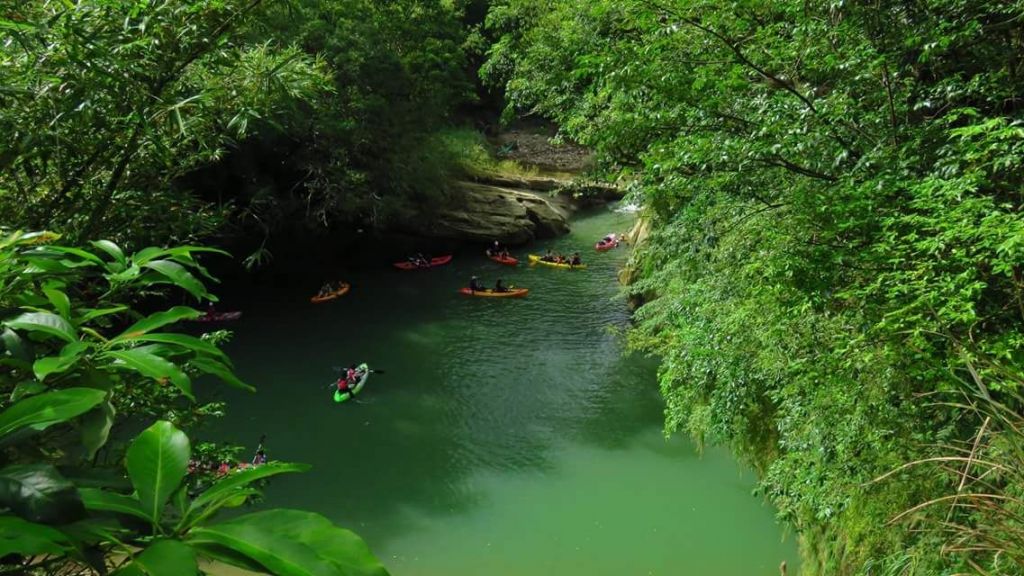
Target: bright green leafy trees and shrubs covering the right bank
column 834, row 191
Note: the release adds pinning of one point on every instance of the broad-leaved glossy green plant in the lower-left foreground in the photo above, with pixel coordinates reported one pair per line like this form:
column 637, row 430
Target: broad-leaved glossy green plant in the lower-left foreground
column 76, row 356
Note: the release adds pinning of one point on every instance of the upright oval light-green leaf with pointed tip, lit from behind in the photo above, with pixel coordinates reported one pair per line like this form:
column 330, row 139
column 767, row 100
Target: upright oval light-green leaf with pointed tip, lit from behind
column 157, row 462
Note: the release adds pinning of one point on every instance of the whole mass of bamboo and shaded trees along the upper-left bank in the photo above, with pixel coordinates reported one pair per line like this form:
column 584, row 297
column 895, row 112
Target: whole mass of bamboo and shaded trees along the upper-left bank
column 182, row 119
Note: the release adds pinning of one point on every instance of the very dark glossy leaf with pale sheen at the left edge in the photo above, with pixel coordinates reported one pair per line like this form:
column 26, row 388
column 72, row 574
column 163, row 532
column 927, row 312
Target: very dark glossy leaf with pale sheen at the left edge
column 39, row 493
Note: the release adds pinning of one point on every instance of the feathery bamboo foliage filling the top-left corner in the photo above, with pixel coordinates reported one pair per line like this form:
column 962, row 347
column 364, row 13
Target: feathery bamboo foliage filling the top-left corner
column 107, row 104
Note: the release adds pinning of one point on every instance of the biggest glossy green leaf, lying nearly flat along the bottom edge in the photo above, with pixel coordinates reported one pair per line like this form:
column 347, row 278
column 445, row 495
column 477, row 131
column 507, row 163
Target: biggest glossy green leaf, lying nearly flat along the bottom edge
column 293, row 544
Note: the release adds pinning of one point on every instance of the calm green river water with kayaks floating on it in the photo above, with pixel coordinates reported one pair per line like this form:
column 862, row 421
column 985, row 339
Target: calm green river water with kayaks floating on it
column 506, row 437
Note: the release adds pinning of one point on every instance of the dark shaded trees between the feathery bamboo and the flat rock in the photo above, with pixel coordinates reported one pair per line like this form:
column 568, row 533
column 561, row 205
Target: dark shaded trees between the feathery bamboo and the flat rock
column 367, row 151
